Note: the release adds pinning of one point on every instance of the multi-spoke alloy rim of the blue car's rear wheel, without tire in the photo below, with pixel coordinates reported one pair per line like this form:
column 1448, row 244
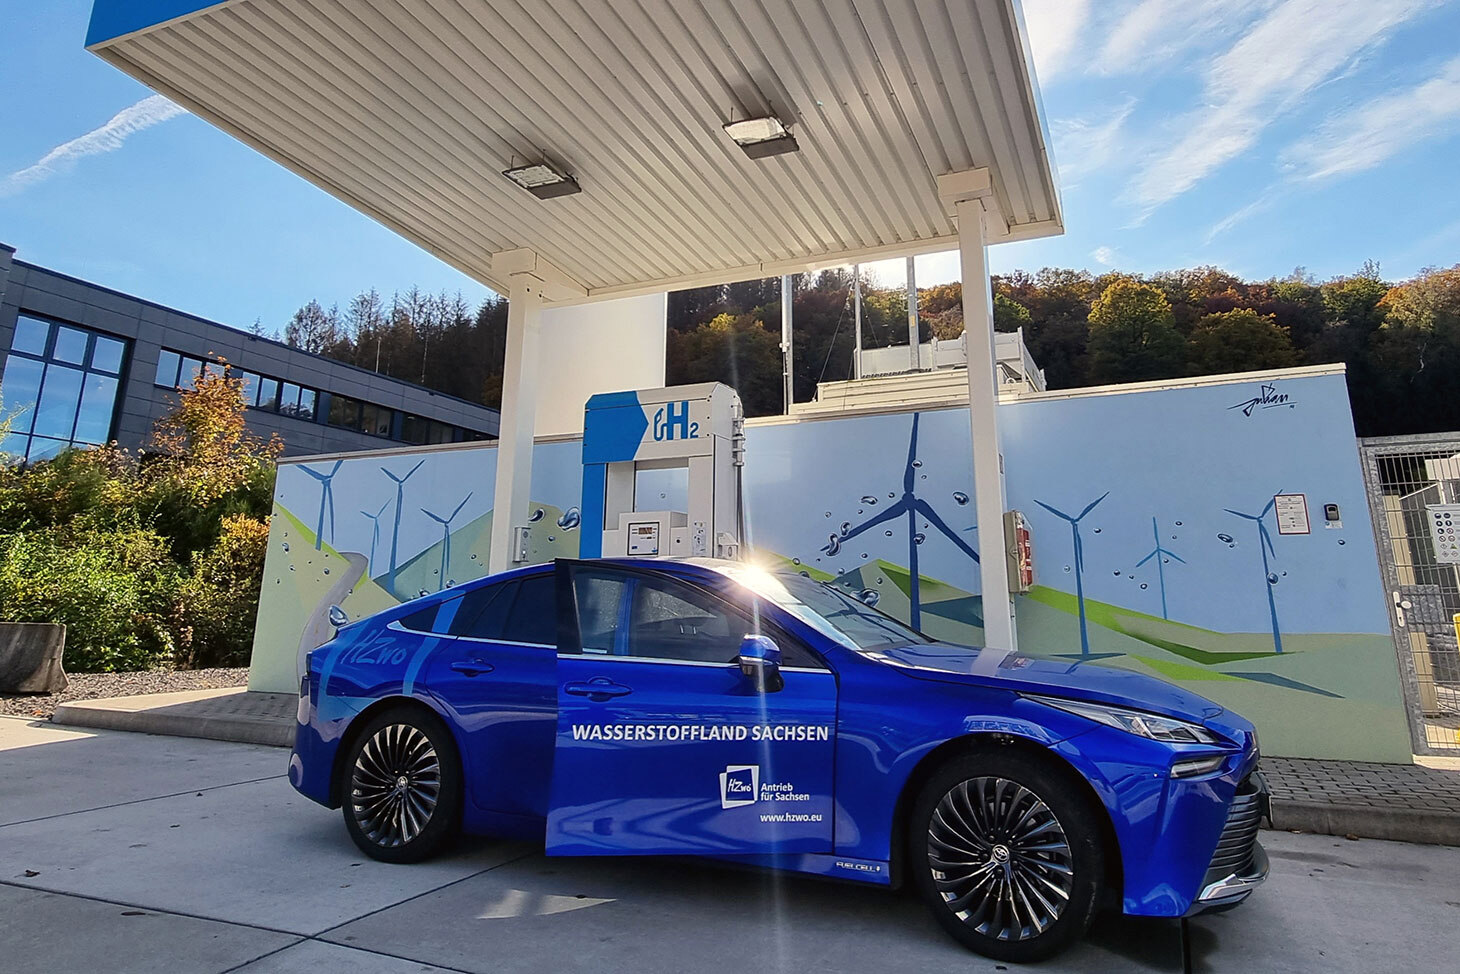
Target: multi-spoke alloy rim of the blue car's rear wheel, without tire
column 396, row 785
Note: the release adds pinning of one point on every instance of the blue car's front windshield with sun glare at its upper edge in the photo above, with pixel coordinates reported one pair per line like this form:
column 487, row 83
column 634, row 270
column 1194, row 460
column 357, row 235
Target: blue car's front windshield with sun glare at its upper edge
column 829, row 610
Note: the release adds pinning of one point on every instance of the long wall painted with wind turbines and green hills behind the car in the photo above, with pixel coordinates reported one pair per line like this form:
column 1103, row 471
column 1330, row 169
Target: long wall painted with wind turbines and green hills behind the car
column 1161, row 542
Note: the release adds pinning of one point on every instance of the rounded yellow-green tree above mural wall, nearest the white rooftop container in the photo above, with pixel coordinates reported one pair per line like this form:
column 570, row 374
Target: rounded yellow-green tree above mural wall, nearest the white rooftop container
column 1134, row 335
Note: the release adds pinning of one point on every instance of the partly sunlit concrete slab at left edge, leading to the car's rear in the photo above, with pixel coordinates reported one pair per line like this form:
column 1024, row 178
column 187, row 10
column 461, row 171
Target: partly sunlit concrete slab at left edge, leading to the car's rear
column 49, row 770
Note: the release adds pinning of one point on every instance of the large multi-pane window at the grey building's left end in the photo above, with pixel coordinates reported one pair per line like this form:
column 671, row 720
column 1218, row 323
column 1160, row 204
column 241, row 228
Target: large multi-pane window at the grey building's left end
column 61, row 385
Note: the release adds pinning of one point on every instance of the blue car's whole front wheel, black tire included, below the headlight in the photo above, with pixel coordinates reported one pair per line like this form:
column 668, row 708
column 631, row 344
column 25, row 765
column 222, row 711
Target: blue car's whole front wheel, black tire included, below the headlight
column 1007, row 852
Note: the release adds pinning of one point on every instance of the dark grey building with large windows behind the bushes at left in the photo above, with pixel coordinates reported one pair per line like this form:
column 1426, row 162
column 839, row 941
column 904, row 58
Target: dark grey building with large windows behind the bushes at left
column 82, row 366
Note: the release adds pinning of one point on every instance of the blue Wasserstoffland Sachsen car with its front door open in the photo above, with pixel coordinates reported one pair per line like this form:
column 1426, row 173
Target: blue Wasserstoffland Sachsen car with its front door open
column 721, row 710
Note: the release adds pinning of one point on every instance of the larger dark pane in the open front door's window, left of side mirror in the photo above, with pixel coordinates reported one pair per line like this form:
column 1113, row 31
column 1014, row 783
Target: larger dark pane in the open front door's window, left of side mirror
column 677, row 623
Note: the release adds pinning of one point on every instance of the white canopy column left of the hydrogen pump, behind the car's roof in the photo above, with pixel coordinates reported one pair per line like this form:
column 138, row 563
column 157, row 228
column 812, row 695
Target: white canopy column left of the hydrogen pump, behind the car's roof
column 515, row 446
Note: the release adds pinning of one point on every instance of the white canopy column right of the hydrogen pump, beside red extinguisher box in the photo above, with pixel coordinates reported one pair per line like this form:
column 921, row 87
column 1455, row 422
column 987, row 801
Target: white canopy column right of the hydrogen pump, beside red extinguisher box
column 983, row 405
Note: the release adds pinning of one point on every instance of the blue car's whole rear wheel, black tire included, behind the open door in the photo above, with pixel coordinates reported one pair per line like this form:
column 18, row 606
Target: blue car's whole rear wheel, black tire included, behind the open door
column 402, row 786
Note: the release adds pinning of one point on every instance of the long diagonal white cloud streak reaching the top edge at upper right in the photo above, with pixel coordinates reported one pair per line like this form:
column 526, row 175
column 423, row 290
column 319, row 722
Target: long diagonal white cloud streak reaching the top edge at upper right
column 1294, row 49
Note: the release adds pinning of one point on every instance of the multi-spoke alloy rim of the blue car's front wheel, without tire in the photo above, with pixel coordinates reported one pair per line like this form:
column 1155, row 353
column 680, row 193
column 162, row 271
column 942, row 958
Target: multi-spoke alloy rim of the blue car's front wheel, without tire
column 1001, row 859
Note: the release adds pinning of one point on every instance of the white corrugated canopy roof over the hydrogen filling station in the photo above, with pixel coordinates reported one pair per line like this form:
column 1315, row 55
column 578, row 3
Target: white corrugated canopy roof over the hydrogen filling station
column 411, row 110
